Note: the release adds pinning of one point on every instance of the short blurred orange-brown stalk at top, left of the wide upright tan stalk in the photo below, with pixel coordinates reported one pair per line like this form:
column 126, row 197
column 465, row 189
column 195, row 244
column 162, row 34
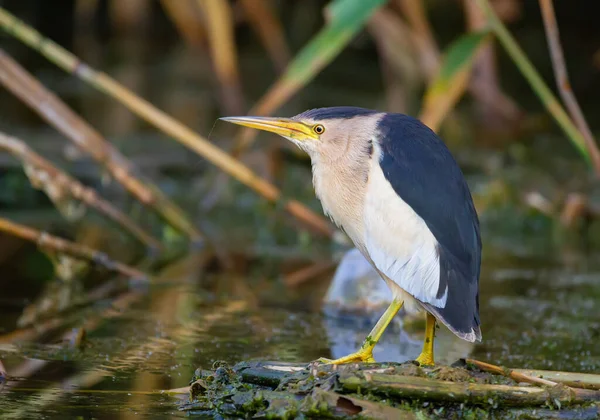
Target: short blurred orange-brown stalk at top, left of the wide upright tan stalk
column 187, row 20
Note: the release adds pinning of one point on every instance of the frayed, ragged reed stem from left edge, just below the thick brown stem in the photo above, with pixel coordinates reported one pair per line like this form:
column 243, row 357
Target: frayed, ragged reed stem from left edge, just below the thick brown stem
column 61, row 181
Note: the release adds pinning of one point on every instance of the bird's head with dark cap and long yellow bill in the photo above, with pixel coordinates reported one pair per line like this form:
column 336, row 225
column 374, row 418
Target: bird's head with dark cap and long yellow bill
column 321, row 132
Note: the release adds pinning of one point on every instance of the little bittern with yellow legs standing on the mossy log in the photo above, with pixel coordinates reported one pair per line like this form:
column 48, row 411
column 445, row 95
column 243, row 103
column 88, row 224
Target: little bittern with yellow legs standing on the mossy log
column 395, row 189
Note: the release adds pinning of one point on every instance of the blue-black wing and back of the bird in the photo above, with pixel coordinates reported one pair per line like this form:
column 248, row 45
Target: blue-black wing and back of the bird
column 424, row 174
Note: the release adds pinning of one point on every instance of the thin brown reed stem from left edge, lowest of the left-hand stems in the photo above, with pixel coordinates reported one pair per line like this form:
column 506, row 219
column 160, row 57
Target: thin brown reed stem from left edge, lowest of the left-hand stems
column 53, row 243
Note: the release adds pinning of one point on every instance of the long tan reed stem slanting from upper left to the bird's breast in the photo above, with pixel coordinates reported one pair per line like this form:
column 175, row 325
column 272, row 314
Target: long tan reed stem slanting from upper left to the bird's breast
column 159, row 119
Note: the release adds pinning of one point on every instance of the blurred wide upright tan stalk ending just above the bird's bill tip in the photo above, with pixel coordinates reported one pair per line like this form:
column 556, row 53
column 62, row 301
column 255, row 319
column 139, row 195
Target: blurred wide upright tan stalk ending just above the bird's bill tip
column 221, row 39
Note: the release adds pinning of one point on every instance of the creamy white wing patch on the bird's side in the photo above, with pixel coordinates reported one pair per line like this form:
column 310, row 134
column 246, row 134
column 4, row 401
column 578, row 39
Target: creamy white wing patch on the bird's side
column 399, row 242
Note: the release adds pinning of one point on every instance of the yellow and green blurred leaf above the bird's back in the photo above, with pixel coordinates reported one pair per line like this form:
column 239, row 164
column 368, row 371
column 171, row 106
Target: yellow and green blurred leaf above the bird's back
column 451, row 80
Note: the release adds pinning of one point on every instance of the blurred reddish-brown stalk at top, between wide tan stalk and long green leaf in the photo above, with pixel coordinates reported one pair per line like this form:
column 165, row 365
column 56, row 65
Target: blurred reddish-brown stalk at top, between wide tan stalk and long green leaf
column 264, row 21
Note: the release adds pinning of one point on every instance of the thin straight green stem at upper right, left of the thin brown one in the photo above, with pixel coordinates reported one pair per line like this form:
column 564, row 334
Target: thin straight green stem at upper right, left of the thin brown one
column 537, row 84
